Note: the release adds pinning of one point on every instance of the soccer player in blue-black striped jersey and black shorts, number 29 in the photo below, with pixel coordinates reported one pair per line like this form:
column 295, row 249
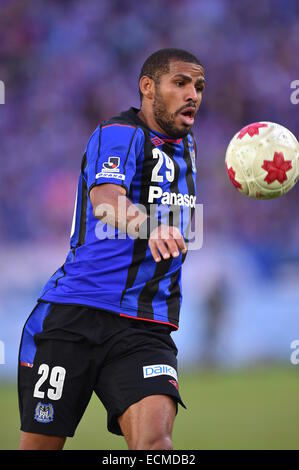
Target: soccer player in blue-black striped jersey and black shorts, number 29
column 103, row 320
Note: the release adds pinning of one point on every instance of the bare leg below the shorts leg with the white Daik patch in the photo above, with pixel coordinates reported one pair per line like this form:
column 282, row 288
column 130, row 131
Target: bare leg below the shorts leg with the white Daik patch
column 148, row 423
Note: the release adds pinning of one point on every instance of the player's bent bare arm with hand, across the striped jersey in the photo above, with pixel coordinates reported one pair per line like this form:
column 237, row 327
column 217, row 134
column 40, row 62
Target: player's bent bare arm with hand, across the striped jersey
column 111, row 205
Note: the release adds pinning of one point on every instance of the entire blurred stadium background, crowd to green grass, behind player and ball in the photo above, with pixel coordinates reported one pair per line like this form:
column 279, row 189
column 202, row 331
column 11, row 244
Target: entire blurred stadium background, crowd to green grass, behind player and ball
column 66, row 66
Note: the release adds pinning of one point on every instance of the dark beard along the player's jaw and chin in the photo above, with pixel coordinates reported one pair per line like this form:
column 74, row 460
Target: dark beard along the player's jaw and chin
column 165, row 119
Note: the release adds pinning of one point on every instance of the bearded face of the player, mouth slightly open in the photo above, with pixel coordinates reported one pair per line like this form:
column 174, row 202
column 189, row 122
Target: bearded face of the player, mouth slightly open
column 177, row 98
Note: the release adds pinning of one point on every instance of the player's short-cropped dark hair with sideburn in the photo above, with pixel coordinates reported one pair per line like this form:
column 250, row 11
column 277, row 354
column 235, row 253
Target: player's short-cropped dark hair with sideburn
column 157, row 63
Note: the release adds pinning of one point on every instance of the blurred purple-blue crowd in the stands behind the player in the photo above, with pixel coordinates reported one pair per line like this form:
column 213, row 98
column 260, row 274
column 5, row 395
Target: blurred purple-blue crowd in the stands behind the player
column 69, row 64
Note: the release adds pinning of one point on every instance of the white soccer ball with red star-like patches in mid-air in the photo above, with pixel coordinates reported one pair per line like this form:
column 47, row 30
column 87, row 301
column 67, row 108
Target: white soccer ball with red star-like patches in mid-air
column 262, row 160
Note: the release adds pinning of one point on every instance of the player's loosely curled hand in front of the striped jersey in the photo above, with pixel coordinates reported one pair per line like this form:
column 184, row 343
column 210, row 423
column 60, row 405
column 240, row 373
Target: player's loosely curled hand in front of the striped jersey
column 166, row 241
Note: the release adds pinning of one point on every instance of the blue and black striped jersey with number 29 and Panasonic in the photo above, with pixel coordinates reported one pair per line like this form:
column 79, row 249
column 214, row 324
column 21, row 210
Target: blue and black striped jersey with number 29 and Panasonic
column 116, row 272
